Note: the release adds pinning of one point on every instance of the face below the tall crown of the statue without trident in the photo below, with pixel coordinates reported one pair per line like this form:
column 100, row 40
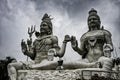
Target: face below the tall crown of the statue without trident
column 93, row 22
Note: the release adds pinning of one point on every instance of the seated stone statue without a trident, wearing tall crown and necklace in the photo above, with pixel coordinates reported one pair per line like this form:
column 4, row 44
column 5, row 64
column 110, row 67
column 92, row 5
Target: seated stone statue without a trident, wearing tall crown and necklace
column 92, row 46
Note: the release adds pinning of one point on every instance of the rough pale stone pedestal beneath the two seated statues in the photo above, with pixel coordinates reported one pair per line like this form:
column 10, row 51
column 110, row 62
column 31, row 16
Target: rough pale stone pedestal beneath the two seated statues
column 76, row 74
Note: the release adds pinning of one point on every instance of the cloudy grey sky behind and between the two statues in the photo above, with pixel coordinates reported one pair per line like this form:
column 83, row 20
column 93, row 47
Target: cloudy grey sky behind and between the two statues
column 69, row 17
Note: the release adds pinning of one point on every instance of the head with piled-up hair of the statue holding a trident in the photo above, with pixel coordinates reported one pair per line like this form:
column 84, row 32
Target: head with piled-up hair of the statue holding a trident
column 46, row 25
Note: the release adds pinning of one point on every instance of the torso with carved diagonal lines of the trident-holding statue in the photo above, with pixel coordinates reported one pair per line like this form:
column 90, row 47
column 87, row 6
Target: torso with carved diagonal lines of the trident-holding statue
column 42, row 46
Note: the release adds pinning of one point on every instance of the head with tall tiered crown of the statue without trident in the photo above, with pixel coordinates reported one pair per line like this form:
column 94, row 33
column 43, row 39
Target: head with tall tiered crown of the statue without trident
column 93, row 20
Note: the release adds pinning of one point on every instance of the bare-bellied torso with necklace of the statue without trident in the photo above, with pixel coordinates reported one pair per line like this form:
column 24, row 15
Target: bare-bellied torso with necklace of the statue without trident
column 93, row 42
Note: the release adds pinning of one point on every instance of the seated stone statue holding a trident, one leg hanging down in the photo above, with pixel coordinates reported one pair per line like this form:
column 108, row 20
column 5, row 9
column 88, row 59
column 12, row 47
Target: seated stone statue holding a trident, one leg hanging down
column 42, row 50
